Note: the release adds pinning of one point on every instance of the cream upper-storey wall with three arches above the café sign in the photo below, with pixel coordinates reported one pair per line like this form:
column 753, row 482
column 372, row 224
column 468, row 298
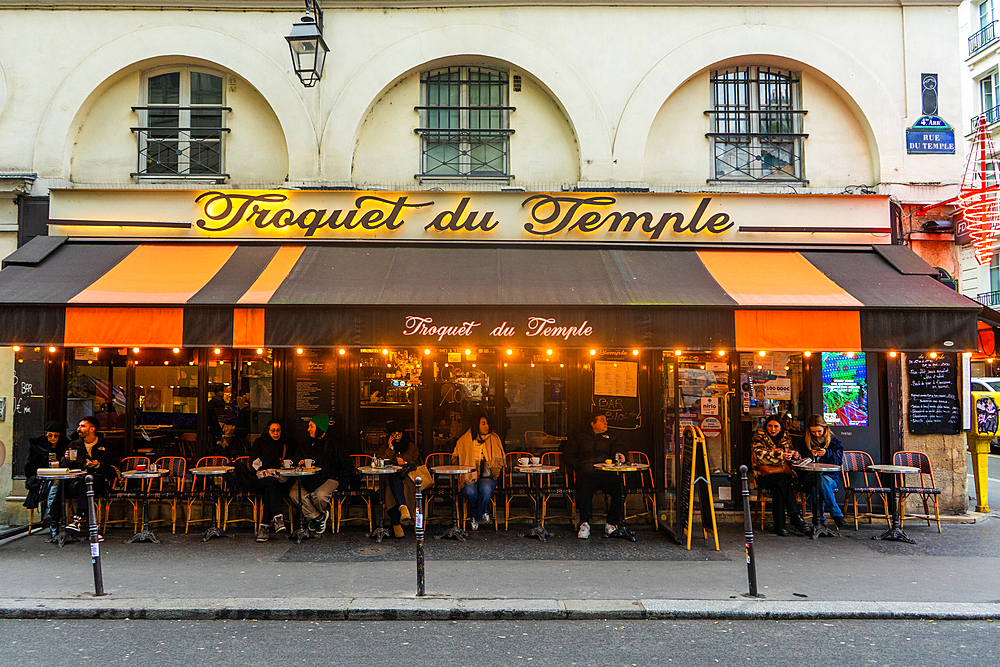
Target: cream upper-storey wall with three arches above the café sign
column 610, row 85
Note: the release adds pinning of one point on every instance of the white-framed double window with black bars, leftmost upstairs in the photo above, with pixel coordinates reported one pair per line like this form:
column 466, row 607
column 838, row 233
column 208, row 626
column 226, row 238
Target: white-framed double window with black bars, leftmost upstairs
column 182, row 125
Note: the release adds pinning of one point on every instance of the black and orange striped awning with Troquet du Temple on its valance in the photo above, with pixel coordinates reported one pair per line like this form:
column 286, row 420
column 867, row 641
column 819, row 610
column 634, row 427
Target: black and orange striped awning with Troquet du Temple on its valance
column 82, row 292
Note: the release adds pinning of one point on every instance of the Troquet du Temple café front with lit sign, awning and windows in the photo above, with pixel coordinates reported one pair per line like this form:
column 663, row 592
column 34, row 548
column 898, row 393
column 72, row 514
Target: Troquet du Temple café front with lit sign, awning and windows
column 186, row 319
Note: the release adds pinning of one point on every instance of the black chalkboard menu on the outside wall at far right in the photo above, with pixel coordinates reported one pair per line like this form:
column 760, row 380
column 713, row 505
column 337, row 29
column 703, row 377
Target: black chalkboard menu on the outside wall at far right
column 934, row 400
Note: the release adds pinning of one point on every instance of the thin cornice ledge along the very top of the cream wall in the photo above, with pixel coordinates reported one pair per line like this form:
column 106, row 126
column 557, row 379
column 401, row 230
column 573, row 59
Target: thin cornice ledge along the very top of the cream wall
column 298, row 5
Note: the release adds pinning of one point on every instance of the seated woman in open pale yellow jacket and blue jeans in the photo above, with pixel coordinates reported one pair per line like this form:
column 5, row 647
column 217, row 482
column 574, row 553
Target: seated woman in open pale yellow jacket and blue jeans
column 482, row 450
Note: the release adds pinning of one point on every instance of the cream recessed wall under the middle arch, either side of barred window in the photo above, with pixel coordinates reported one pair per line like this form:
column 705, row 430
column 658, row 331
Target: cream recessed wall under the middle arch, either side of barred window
column 388, row 150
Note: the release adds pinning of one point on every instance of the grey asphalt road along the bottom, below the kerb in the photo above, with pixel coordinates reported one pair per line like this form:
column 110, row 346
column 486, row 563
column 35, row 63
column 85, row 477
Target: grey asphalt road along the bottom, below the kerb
column 249, row 643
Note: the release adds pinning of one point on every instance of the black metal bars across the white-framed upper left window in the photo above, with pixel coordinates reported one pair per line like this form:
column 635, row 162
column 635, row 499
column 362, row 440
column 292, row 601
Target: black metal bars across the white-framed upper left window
column 167, row 149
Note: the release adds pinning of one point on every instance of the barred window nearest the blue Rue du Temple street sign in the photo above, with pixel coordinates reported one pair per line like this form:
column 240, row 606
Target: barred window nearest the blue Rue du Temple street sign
column 756, row 125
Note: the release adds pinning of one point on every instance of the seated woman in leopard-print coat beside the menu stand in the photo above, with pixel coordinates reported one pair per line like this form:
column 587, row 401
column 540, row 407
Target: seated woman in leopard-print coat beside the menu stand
column 772, row 451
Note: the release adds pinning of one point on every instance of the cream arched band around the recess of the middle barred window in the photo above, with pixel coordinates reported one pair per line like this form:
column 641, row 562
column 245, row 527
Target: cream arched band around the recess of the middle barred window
column 564, row 85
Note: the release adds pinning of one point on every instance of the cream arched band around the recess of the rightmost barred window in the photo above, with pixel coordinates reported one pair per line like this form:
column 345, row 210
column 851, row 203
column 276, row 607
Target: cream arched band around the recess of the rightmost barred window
column 876, row 112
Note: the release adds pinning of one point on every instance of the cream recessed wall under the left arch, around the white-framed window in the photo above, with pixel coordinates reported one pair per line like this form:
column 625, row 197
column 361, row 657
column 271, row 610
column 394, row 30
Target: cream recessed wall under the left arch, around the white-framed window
column 105, row 149
